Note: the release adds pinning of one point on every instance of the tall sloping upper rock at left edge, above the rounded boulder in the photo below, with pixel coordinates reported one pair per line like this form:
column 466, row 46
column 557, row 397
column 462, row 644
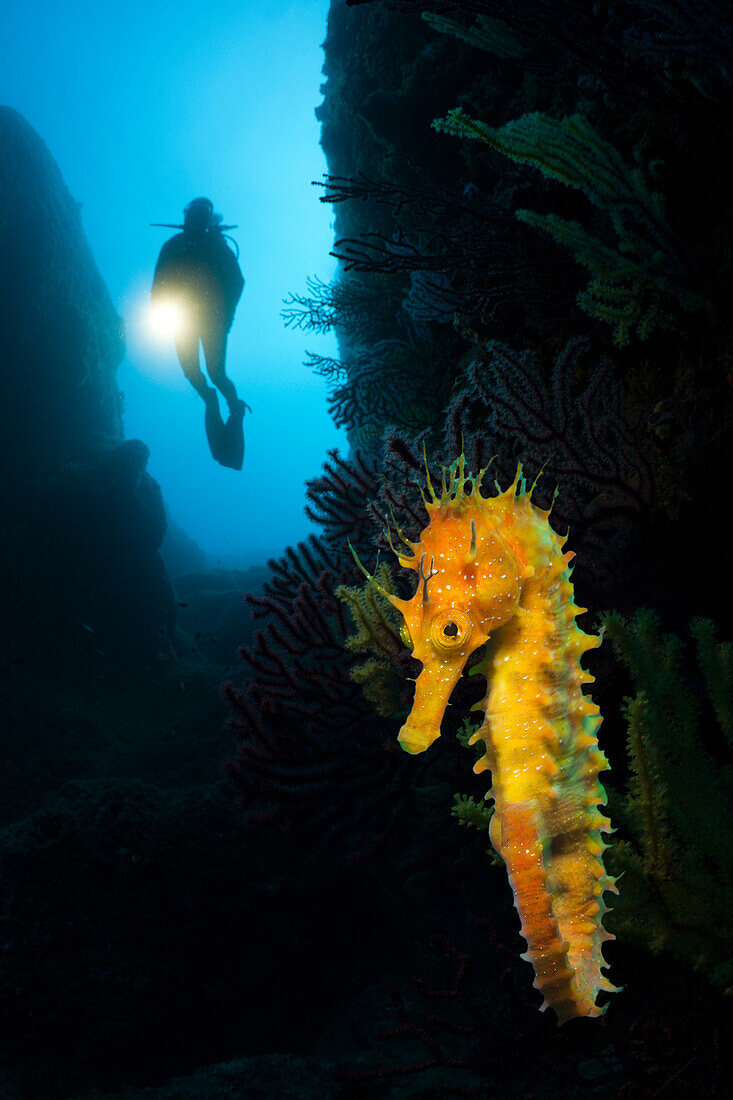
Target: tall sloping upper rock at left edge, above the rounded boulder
column 62, row 338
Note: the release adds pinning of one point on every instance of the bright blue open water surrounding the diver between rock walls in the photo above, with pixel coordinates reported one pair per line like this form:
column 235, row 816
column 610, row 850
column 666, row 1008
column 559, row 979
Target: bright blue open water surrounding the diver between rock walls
column 145, row 106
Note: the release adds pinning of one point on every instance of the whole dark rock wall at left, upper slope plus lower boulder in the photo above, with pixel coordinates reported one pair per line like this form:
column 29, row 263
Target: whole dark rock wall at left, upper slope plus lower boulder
column 83, row 521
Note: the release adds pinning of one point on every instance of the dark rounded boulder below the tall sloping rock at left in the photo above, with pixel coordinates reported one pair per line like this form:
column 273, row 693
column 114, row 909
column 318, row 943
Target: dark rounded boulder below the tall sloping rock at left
column 91, row 565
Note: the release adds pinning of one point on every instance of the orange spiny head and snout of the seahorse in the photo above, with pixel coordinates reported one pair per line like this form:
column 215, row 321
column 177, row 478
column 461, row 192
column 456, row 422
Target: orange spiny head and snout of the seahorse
column 469, row 584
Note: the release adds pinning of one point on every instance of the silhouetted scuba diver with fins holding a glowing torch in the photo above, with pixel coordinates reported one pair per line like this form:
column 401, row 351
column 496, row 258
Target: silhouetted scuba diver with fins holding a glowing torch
column 200, row 276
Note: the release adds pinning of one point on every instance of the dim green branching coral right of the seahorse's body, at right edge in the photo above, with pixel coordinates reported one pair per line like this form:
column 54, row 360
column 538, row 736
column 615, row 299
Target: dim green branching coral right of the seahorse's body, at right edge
column 679, row 811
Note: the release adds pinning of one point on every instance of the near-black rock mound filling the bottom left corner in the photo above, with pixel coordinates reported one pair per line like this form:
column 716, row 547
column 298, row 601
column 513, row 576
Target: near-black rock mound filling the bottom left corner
column 127, row 910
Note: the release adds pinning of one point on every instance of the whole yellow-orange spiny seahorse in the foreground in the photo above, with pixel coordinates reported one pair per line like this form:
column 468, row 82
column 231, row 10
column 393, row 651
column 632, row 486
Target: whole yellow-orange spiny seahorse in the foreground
column 493, row 571
